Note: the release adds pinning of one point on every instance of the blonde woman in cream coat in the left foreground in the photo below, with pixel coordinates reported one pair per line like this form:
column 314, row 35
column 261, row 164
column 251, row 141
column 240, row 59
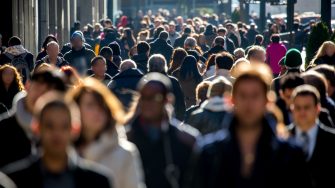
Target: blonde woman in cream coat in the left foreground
column 102, row 138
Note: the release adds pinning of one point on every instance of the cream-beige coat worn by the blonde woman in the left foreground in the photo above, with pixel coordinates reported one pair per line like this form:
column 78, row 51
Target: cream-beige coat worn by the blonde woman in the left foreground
column 122, row 157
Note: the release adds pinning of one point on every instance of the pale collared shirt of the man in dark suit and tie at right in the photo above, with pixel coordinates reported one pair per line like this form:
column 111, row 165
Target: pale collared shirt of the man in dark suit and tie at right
column 312, row 135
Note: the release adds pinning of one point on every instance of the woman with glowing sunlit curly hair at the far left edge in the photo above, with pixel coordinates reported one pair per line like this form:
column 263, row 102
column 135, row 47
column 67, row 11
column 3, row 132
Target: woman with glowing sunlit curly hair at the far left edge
column 10, row 84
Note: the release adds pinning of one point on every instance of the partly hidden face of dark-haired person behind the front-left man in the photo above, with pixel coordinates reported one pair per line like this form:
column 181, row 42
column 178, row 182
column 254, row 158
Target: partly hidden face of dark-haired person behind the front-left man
column 34, row 91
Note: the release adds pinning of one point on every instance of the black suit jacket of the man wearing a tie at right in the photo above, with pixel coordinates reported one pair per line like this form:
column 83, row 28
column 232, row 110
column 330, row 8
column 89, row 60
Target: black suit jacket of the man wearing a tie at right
column 322, row 163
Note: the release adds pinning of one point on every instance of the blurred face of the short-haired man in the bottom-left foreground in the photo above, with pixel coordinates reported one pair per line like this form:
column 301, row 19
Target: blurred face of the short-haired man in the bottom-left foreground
column 55, row 129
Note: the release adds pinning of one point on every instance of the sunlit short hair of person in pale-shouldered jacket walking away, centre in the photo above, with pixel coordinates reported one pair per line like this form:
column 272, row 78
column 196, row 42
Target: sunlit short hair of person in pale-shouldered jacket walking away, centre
column 218, row 87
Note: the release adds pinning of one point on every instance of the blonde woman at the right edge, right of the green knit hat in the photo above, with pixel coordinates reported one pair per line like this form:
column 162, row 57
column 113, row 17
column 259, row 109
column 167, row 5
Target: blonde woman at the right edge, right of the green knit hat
column 325, row 54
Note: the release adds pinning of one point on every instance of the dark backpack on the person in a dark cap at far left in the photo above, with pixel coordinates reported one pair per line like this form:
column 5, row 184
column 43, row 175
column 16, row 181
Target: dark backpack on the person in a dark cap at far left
column 20, row 63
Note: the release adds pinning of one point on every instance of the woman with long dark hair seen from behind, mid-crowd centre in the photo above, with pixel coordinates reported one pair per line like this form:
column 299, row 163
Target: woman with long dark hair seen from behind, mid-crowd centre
column 189, row 77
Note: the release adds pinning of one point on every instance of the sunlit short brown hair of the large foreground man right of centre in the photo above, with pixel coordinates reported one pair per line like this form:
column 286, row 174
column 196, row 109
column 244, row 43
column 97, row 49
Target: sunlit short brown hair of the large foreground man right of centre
column 257, row 71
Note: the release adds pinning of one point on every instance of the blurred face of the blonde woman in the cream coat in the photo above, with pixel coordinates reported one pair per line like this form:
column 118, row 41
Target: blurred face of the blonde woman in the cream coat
column 94, row 118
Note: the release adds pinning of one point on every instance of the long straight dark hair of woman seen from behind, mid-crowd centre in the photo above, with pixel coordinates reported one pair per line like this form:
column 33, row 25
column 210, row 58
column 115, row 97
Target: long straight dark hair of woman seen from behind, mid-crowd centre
column 189, row 68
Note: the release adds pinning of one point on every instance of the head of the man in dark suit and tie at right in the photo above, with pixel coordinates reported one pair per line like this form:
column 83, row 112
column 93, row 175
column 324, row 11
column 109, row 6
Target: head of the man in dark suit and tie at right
column 305, row 106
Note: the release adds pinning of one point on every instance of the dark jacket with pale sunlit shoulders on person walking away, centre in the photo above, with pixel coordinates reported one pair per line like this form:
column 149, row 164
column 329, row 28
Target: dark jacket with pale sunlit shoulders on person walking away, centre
column 208, row 118
